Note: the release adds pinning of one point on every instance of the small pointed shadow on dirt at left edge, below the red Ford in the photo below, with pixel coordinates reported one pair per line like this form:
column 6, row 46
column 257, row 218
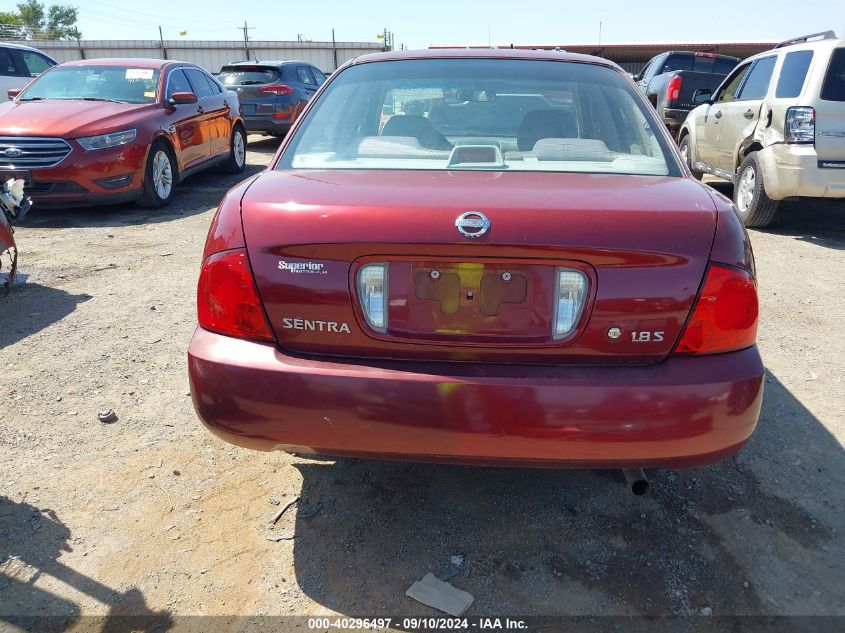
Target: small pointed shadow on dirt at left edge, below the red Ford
column 31, row 307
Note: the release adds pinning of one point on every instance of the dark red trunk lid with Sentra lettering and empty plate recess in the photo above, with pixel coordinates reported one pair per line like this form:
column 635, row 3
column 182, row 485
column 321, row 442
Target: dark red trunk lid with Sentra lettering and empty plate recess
column 641, row 244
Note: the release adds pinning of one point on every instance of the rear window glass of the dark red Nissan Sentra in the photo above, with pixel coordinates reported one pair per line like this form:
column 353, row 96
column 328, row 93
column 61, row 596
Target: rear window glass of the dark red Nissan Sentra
column 480, row 114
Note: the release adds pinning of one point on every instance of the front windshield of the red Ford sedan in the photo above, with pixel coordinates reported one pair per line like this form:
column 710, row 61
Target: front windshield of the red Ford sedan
column 123, row 84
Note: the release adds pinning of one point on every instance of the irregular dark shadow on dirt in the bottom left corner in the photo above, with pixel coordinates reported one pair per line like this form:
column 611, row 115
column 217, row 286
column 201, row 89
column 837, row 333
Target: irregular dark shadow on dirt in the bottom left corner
column 32, row 541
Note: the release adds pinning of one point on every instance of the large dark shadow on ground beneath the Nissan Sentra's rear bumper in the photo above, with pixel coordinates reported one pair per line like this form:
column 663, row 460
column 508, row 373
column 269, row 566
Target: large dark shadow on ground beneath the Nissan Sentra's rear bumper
column 745, row 536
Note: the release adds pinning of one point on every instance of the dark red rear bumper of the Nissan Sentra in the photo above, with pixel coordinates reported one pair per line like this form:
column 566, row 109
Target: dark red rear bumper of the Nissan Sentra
column 683, row 412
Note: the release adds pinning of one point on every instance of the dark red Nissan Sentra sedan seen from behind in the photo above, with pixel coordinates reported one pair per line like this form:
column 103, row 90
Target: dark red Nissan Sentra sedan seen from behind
column 479, row 256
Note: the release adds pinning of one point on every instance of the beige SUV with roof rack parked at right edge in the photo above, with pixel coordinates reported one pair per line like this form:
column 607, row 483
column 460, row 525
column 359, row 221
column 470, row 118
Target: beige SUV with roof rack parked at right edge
column 775, row 127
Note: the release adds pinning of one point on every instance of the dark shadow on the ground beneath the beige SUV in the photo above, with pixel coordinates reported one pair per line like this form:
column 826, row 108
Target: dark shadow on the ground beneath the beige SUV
column 820, row 222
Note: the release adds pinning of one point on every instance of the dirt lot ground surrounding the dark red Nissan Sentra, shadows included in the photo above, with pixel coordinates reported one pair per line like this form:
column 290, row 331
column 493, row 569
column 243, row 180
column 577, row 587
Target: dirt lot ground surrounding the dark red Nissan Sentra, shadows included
column 153, row 516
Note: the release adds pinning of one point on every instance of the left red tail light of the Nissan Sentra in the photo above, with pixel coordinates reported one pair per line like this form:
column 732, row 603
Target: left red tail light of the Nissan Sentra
column 227, row 301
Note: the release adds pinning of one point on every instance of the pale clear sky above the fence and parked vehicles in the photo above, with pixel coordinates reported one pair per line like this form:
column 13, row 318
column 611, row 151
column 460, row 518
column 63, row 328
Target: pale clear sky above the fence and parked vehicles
column 420, row 23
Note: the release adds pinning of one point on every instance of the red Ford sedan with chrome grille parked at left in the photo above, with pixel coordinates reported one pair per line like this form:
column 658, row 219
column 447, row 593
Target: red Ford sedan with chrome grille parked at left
column 110, row 130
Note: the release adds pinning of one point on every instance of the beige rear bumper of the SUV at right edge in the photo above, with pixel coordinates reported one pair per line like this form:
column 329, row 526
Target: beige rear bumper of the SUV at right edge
column 793, row 170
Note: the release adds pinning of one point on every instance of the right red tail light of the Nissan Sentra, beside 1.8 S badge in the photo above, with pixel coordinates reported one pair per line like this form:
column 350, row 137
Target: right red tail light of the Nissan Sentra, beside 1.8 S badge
column 724, row 318
